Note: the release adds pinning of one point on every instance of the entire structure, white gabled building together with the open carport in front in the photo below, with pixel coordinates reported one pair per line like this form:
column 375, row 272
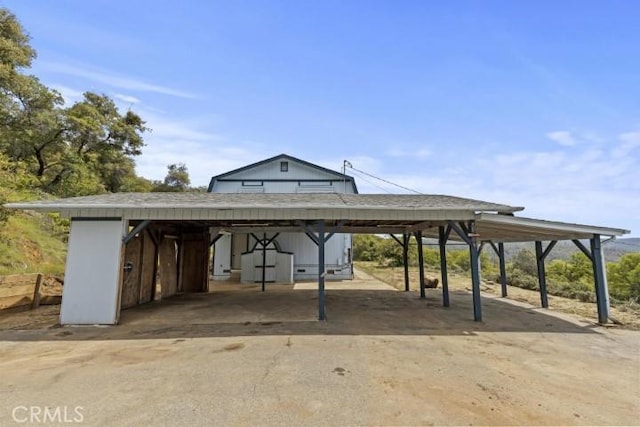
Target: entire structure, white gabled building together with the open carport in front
column 123, row 245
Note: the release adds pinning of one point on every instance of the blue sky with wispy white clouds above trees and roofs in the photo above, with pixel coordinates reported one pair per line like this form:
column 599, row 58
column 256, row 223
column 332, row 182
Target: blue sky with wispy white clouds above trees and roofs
column 530, row 103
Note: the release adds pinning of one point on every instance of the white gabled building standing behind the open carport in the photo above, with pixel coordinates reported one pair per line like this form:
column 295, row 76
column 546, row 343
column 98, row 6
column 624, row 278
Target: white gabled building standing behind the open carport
column 288, row 256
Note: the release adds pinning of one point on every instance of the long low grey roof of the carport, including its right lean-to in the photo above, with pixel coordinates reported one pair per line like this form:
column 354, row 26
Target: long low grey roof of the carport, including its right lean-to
column 351, row 213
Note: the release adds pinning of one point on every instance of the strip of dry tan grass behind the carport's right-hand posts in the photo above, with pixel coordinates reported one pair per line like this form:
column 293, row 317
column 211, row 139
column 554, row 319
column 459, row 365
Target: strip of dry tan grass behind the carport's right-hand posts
column 628, row 315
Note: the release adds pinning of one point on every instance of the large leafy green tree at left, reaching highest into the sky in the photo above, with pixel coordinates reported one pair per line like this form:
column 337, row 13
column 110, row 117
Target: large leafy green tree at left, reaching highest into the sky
column 90, row 141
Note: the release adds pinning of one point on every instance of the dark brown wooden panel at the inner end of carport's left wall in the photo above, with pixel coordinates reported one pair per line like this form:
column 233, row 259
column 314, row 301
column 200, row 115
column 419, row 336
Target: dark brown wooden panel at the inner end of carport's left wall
column 195, row 262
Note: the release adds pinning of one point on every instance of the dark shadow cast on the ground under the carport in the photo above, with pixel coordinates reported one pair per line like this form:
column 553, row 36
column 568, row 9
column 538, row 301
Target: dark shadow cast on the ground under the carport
column 246, row 311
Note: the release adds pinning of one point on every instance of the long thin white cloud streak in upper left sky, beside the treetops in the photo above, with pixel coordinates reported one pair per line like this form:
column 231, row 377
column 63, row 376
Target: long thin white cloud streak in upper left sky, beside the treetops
column 112, row 79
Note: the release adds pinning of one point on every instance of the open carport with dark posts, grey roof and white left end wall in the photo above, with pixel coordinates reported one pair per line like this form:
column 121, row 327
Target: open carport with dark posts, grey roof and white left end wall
column 120, row 243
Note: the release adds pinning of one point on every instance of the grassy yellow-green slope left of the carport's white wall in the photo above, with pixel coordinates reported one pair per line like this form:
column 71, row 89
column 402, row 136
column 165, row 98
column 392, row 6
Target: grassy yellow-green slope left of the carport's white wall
column 32, row 243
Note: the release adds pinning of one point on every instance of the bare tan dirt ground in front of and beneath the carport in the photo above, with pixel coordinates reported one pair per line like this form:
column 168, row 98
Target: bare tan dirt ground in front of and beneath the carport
column 237, row 356
